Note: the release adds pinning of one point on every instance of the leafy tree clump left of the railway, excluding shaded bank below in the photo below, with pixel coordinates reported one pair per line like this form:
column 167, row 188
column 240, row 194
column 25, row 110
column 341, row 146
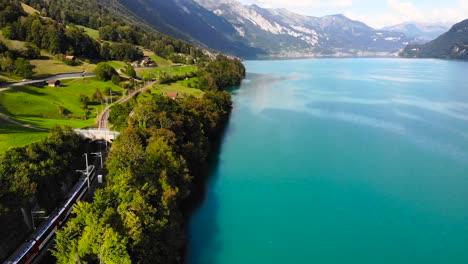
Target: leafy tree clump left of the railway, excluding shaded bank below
column 38, row 171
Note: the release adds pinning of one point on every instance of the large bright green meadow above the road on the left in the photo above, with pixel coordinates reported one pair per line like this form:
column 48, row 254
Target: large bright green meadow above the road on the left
column 47, row 106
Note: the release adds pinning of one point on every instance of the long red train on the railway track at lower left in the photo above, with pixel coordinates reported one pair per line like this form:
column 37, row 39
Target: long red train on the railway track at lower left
column 31, row 248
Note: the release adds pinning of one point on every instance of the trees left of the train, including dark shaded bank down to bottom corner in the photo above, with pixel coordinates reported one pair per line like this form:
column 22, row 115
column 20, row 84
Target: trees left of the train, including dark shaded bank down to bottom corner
column 36, row 176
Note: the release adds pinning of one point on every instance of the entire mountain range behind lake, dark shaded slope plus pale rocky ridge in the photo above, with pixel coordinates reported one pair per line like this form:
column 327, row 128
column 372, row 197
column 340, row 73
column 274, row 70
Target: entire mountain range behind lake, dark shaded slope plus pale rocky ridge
column 252, row 31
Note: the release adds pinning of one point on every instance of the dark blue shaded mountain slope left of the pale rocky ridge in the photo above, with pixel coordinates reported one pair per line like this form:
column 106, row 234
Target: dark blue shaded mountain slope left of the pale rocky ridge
column 188, row 20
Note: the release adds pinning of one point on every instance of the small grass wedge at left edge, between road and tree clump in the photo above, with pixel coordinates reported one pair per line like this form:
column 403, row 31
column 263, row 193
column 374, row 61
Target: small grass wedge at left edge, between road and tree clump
column 12, row 136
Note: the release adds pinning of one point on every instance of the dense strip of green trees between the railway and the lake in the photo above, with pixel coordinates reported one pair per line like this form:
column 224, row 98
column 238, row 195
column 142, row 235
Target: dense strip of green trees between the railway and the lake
column 137, row 217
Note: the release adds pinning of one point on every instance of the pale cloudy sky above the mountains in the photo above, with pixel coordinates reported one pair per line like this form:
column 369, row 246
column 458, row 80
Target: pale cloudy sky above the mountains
column 377, row 13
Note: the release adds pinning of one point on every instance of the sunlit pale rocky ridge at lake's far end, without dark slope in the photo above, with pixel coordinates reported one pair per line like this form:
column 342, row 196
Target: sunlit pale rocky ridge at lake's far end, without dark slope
column 284, row 33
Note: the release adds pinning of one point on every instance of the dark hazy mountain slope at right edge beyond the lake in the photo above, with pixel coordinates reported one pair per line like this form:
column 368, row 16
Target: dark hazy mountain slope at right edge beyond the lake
column 450, row 45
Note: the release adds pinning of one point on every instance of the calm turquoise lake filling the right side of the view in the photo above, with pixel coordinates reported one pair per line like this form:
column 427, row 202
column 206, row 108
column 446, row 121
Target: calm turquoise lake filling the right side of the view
column 341, row 161
